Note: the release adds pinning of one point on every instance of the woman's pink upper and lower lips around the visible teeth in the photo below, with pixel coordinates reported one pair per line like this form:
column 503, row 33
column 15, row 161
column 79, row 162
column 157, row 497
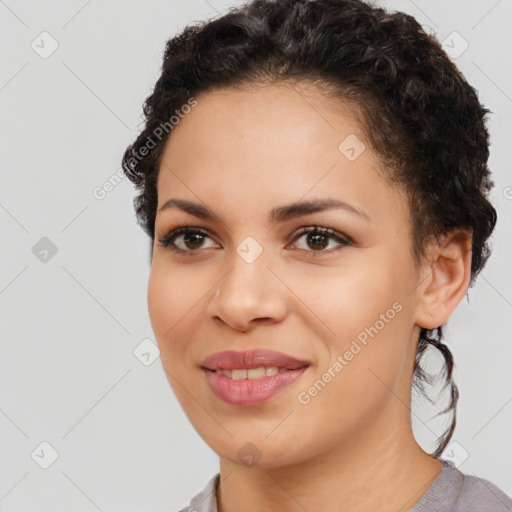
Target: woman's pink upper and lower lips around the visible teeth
column 247, row 392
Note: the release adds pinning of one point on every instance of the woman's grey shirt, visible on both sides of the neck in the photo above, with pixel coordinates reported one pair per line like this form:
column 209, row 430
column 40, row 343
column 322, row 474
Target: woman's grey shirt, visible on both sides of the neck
column 451, row 491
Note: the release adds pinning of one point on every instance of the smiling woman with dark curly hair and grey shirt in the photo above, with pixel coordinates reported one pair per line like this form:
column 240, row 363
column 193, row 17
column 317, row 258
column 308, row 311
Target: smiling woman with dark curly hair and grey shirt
column 313, row 177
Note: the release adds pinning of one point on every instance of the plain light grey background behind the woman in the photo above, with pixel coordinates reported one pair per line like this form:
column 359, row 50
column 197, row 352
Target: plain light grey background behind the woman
column 68, row 374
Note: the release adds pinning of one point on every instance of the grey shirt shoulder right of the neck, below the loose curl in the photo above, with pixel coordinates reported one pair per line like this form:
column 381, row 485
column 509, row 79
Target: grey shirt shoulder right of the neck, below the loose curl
column 454, row 491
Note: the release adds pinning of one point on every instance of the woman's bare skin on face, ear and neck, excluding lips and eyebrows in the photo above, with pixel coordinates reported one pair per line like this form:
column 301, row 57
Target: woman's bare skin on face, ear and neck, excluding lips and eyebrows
column 242, row 153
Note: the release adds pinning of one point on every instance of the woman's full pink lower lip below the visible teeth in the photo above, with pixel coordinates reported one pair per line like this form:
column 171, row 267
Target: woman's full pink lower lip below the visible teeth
column 247, row 392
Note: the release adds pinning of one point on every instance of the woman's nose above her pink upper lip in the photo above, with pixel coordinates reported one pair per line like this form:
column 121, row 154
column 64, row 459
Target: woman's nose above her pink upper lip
column 248, row 295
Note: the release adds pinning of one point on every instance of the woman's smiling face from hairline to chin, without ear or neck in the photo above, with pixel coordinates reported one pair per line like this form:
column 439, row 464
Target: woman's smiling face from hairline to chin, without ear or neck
column 344, row 304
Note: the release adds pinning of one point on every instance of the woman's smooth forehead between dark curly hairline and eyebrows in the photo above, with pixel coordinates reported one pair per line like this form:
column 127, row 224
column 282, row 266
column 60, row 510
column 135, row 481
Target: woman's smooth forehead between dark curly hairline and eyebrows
column 264, row 146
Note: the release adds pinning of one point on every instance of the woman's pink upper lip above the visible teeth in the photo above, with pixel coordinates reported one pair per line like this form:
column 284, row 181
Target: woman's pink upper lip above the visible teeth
column 235, row 360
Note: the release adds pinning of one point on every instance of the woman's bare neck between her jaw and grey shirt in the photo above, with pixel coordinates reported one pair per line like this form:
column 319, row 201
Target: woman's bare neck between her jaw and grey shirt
column 384, row 469
